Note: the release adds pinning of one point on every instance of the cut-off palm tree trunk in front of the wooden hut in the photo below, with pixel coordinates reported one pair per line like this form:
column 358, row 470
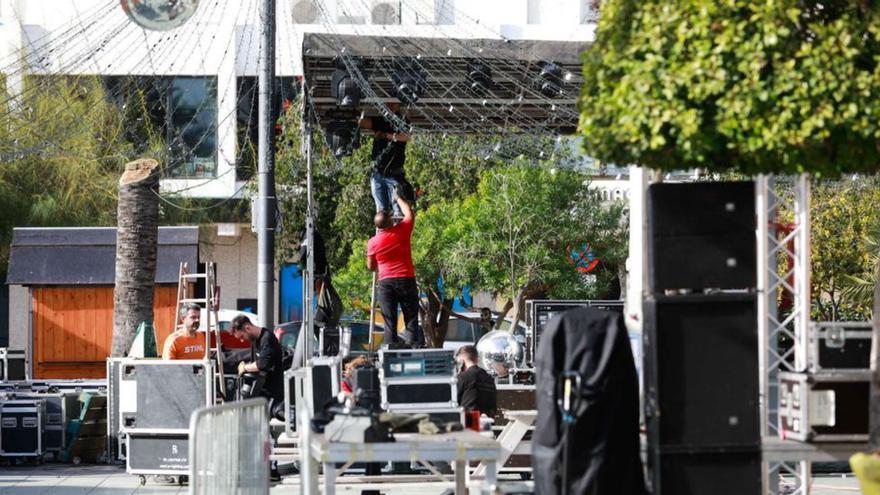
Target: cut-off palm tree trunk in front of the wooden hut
column 137, row 237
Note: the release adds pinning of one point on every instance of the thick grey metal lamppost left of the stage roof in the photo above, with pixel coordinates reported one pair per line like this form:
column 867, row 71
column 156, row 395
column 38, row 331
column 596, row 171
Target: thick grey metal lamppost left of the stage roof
column 266, row 170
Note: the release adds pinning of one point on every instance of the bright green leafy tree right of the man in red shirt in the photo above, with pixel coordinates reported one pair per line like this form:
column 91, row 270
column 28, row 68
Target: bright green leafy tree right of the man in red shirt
column 515, row 234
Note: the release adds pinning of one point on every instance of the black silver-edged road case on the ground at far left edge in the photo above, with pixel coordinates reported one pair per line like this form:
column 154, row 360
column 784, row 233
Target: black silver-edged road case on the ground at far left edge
column 22, row 423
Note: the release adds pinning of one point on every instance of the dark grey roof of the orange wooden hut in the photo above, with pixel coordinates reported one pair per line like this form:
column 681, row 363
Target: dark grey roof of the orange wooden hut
column 87, row 255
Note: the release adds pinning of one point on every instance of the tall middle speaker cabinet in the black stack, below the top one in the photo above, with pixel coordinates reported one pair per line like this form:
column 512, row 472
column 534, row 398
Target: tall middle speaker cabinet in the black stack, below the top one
column 701, row 371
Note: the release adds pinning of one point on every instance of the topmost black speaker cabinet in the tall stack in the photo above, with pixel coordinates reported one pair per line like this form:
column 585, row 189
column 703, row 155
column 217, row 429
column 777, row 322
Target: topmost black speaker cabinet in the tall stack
column 701, row 235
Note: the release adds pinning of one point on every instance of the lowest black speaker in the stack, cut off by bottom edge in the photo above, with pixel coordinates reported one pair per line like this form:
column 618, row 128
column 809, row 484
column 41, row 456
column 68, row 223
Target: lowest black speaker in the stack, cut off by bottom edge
column 702, row 473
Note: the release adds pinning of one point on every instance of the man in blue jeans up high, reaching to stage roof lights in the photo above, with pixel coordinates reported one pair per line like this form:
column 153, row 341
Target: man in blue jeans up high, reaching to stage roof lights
column 388, row 156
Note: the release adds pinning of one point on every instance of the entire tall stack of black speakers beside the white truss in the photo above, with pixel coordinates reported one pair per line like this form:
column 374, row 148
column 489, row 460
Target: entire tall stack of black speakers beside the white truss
column 701, row 340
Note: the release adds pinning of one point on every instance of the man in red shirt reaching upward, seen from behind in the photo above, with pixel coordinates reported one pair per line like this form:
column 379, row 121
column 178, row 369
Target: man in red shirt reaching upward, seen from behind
column 390, row 253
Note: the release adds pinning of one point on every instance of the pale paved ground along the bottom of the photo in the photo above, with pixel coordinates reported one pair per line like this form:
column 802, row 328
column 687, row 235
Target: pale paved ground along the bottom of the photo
column 60, row 479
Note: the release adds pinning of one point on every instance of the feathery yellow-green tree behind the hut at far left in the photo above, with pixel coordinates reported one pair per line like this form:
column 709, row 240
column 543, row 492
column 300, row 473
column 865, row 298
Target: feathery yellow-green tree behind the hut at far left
column 63, row 146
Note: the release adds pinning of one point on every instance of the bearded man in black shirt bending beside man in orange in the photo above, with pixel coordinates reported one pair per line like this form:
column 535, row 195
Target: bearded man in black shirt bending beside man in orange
column 265, row 360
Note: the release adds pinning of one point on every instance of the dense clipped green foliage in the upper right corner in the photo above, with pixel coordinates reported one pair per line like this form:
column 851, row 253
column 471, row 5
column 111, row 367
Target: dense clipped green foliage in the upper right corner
column 780, row 86
